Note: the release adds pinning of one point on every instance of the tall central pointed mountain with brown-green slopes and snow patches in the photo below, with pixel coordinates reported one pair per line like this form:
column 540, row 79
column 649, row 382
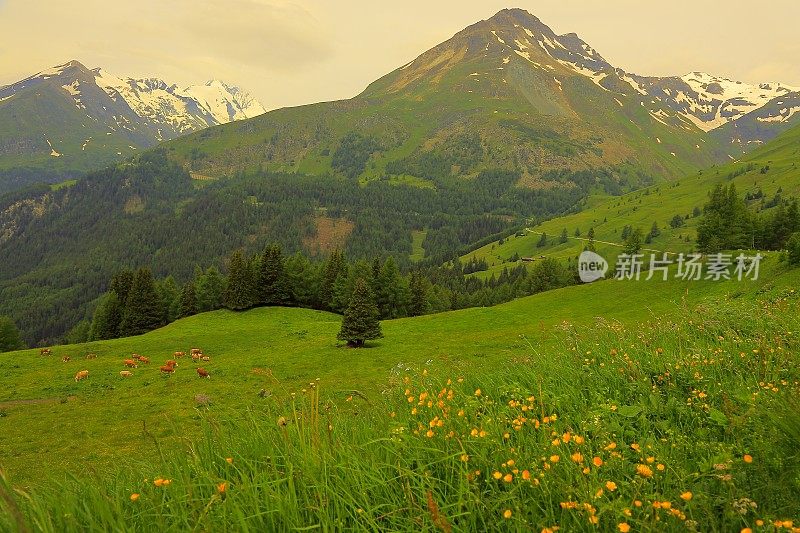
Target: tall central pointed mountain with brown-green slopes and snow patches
column 504, row 93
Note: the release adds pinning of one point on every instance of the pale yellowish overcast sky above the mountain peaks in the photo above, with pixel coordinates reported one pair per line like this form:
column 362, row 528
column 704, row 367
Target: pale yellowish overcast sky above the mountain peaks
column 291, row 52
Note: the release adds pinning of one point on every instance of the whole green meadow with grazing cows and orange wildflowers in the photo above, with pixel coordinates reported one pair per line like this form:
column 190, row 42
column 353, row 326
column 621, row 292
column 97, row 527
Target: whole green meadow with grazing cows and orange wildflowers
column 635, row 412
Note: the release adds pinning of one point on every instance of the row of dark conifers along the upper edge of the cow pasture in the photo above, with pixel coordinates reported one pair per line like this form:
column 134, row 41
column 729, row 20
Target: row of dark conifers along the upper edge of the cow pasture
column 136, row 302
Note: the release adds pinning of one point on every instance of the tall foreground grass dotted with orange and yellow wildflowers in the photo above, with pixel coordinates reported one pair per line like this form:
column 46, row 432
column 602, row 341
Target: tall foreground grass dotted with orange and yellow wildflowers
column 680, row 424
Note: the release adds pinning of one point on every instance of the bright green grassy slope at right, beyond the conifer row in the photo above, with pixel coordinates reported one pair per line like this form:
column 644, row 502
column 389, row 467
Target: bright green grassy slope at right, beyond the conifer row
column 773, row 167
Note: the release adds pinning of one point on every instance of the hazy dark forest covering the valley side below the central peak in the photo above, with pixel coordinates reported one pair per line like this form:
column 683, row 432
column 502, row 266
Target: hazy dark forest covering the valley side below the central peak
column 59, row 248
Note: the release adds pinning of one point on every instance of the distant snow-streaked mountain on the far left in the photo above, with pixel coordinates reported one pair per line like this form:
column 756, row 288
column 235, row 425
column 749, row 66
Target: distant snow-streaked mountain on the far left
column 70, row 119
